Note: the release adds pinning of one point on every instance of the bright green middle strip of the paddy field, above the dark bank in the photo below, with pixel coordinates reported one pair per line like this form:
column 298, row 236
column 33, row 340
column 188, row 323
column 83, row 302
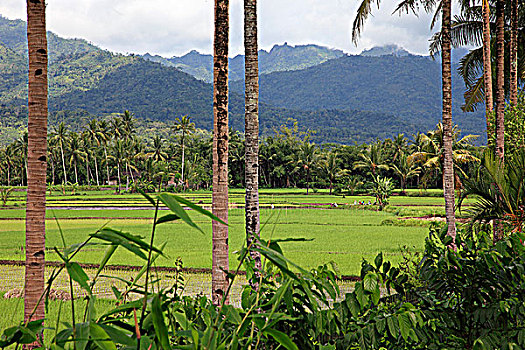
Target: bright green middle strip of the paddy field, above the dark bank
column 341, row 236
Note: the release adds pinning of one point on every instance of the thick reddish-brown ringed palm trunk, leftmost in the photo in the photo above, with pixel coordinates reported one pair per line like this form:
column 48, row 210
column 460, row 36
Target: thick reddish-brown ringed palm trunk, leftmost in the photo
column 37, row 150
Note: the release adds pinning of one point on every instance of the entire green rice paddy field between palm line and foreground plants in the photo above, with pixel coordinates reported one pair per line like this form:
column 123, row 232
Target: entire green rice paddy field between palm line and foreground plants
column 337, row 230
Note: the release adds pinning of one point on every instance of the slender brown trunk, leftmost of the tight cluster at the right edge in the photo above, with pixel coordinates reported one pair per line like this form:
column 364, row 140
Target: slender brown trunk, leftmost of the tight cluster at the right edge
column 487, row 66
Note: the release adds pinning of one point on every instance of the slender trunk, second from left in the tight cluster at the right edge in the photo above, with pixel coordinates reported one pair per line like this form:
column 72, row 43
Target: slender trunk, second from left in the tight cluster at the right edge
column 500, row 78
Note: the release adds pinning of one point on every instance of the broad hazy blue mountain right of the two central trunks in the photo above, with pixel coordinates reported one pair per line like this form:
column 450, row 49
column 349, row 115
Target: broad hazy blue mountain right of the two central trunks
column 408, row 87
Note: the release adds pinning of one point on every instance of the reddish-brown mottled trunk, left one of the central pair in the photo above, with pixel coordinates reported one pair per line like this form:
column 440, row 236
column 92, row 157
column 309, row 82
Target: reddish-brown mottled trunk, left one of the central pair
column 220, row 152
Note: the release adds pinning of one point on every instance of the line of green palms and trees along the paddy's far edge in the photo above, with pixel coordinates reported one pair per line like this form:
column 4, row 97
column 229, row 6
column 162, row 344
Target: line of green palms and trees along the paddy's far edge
column 110, row 152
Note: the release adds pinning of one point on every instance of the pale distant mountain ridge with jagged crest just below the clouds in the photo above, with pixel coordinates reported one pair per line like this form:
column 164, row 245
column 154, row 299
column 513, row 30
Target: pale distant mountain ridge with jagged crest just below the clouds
column 280, row 58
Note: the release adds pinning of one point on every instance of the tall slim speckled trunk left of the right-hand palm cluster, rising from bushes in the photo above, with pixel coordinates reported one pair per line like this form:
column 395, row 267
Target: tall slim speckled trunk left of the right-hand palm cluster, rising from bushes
column 448, row 166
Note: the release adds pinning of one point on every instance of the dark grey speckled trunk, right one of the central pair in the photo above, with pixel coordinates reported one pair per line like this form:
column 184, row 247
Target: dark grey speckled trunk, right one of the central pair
column 251, row 127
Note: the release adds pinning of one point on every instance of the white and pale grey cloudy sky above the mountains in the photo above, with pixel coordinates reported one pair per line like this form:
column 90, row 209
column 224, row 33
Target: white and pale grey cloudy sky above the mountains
column 174, row 27
